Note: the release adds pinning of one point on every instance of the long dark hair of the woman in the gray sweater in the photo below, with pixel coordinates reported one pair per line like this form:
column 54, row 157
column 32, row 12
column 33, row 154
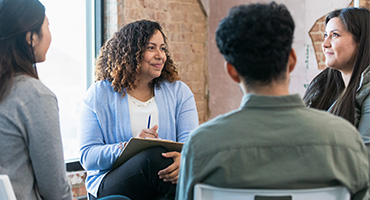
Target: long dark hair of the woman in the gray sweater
column 18, row 17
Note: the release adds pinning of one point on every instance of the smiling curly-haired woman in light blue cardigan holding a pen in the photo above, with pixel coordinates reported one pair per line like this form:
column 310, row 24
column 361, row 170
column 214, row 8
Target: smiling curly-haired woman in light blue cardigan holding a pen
column 136, row 78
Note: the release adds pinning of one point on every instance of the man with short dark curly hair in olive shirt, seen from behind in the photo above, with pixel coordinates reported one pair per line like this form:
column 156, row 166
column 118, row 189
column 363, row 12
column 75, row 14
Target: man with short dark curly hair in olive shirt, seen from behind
column 273, row 141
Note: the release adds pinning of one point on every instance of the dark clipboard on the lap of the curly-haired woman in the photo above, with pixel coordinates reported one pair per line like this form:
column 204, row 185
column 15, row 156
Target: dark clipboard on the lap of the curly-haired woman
column 136, row 145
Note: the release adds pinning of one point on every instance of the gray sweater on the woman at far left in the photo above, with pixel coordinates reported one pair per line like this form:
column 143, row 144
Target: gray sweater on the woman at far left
column 31, row 152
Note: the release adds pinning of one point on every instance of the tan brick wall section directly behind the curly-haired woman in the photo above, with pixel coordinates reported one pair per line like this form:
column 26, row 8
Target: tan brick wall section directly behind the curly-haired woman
column 185, row 25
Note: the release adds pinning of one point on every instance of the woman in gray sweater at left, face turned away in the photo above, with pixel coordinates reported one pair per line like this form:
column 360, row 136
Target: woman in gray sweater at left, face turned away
column 31, row 151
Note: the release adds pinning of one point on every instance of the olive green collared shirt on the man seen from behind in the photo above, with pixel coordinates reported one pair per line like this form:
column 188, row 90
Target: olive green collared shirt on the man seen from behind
column 275, row 143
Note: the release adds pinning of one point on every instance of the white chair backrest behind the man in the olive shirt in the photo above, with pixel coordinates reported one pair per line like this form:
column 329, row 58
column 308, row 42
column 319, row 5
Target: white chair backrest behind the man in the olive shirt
column 207, row 192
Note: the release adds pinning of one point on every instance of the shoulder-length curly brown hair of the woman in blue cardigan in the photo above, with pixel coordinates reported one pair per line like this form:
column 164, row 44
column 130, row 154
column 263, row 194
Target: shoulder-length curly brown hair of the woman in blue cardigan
column 119, row 59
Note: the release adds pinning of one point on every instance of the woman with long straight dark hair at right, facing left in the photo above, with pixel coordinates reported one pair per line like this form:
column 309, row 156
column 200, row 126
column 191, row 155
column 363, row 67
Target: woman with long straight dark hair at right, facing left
column 344, row 87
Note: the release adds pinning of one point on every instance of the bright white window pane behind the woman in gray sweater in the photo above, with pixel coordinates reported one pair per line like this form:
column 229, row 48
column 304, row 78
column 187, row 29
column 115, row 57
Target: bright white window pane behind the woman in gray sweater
column 64, row 70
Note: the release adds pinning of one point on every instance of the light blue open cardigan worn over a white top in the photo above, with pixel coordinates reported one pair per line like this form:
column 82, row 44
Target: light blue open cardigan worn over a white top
column 105, row 121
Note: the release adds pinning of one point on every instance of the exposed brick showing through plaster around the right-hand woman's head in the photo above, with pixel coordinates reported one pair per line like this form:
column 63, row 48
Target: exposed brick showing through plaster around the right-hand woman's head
column 317, row 35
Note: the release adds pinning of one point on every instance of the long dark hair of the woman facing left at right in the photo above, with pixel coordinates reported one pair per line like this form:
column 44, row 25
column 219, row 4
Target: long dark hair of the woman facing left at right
column 329, row 86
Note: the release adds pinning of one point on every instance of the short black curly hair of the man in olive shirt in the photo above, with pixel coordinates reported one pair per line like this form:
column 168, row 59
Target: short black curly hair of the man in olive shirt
column 257, row 39
